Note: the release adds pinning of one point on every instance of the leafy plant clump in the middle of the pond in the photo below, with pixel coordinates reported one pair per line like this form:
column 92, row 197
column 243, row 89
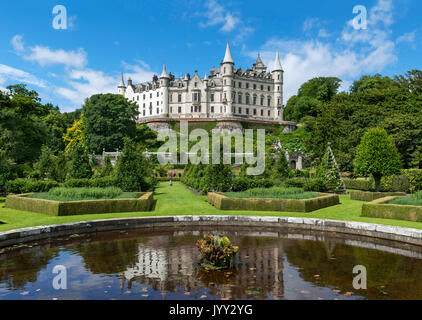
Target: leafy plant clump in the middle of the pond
column 216, row 253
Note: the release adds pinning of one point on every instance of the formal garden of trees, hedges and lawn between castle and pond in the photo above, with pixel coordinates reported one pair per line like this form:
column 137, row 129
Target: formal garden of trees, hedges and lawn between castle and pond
column 348, row 165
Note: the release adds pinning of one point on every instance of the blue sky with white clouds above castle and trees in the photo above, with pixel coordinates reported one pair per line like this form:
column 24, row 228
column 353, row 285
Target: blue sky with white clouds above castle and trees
column 105, row 38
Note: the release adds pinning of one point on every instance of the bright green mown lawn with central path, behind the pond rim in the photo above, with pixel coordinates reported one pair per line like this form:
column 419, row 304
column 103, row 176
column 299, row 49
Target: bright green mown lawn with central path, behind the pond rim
column 178, row 200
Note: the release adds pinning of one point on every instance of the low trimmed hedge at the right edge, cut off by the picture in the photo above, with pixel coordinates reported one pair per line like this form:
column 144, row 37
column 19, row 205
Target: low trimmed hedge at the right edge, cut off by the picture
column 381, row 208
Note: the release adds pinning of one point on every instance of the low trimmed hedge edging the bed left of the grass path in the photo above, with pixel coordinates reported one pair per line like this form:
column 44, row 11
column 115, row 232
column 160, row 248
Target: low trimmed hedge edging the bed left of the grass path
column 21, row 202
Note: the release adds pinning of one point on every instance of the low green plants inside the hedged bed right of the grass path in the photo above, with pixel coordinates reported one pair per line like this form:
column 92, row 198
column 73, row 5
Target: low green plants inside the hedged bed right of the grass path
column 273, row 193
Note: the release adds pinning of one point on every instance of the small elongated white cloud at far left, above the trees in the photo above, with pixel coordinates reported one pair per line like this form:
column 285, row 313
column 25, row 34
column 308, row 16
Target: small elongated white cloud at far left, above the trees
column 45, row 56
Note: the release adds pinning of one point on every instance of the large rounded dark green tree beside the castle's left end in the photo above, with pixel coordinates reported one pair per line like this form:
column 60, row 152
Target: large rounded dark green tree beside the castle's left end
column 108, row 118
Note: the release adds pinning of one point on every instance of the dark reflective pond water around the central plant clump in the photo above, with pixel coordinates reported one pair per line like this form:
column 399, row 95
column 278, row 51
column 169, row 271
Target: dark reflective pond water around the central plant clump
column 271, row 264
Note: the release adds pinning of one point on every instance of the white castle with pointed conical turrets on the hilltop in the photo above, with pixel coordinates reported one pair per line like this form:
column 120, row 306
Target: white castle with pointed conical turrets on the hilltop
column 225, row 93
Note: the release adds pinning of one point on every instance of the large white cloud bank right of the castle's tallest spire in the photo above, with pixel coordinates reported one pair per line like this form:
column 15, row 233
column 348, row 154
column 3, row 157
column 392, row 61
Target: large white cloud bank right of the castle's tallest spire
column 355, row 52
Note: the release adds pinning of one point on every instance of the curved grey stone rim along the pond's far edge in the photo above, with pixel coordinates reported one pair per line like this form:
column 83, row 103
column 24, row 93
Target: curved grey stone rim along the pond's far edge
column 392, row 233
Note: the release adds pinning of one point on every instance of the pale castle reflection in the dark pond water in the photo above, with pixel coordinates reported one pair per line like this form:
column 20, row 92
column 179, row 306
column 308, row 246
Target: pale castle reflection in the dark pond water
column 170, row 267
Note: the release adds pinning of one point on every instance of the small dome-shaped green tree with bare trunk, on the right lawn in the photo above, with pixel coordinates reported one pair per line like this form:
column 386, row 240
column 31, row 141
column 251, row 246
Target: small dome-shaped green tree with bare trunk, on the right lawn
column 377, row 155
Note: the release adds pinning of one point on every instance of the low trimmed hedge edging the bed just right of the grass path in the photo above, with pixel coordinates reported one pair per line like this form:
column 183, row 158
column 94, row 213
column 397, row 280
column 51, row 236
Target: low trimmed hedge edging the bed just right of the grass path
column 222, row 202
